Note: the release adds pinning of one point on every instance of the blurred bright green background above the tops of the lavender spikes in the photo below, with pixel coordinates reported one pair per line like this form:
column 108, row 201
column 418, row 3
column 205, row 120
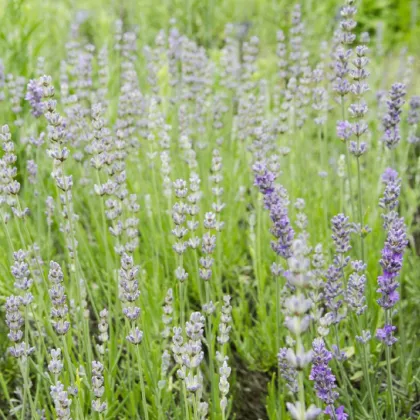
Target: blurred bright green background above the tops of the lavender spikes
column 30, row 28
